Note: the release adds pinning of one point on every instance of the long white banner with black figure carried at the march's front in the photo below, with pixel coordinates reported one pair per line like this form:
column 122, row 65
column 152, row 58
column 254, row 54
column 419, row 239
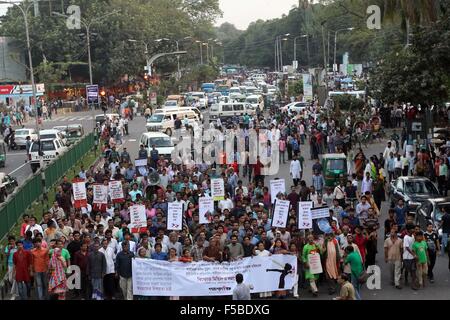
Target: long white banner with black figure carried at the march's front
column 163, row 278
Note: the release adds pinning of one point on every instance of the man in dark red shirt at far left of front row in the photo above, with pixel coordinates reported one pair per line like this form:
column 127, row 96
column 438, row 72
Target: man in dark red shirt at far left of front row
column 22, row 267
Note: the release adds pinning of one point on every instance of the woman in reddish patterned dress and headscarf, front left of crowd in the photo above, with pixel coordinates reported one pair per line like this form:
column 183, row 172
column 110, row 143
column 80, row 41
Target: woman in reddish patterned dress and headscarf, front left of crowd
column 57, row 284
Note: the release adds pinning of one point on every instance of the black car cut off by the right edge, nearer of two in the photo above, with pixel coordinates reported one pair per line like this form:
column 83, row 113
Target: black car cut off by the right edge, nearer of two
column 431, row 211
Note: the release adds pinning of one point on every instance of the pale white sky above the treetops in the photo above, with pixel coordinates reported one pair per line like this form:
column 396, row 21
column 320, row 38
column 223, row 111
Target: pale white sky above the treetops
column 242, row 12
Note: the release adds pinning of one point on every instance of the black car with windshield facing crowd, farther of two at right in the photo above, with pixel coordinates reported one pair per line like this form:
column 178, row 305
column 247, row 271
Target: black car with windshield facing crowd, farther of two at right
column 413, row 191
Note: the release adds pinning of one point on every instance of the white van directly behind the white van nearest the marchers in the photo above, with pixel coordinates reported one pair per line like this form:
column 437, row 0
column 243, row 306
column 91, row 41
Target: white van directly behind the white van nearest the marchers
column 163, row 120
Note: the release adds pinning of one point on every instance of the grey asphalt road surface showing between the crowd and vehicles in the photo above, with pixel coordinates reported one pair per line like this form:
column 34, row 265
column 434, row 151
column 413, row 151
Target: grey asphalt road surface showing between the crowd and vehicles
column 437, row 291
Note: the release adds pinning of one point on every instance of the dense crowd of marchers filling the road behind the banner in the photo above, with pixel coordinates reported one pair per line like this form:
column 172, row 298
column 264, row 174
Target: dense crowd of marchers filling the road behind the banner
column 102, row 243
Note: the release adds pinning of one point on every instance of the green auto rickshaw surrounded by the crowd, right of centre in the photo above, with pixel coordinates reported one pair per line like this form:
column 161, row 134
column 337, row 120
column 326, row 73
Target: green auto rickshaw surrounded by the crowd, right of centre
column 334, row 168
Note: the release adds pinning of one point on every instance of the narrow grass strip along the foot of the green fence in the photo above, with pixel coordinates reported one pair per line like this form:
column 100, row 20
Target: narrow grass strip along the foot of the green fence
column 38, row 208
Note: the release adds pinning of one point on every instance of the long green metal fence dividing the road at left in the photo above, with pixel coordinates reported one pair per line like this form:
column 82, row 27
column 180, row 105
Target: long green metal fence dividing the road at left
column 33, row 188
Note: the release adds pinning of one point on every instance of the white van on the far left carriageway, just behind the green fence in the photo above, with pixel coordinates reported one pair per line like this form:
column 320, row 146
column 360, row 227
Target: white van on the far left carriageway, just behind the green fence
column 50, row 148
